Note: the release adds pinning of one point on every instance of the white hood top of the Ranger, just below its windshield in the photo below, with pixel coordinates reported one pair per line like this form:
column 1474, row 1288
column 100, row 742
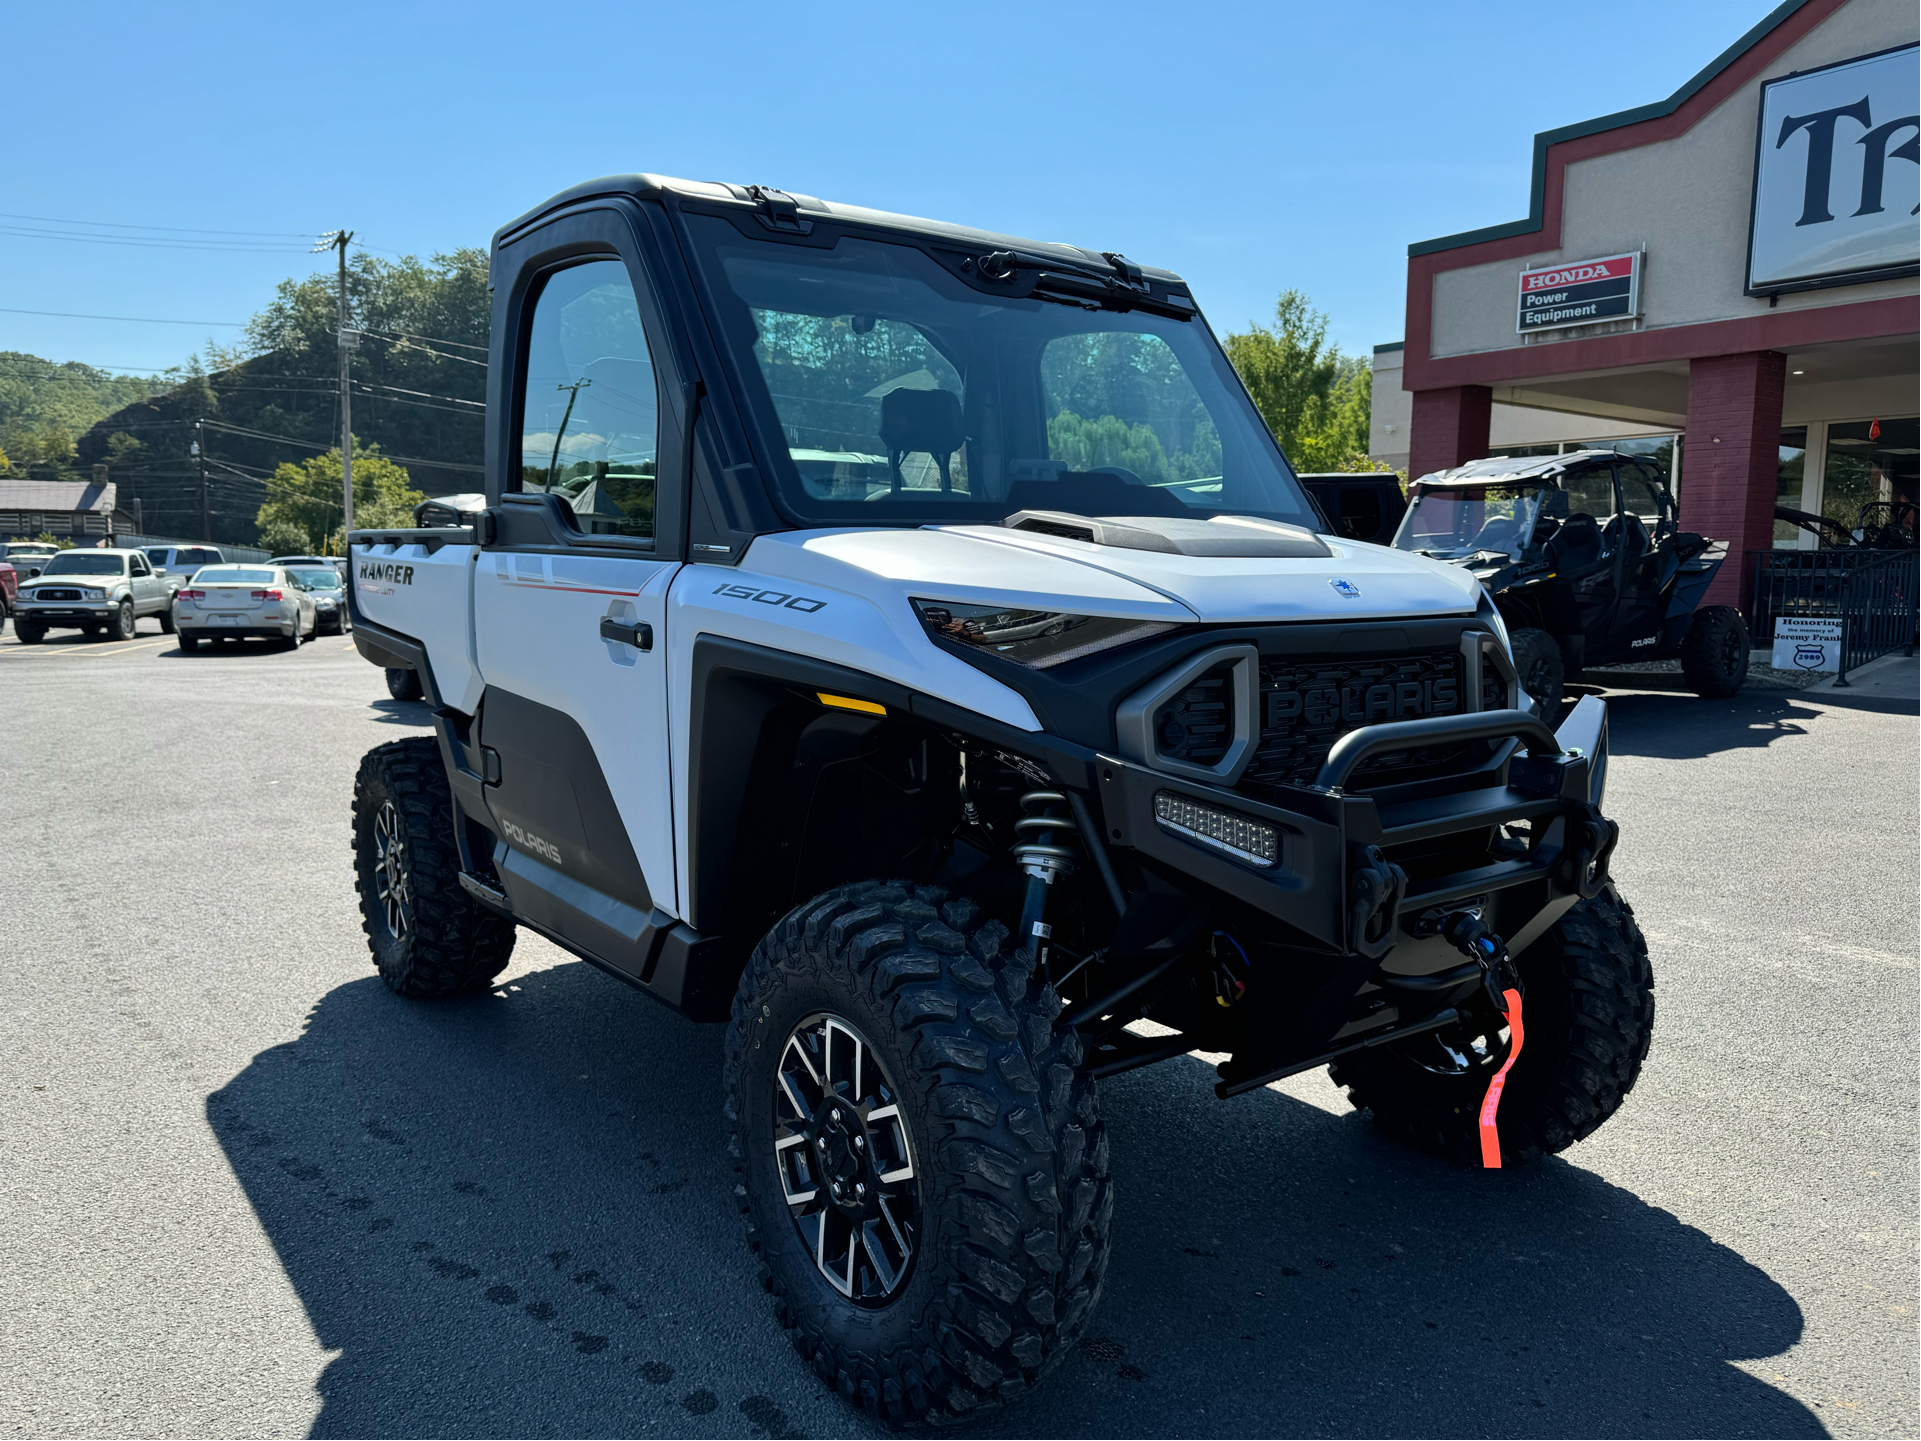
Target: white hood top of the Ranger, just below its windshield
column 1353, row 583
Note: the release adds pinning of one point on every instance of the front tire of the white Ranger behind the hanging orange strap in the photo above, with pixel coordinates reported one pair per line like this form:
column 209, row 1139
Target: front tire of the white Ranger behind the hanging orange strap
column 1588, row 1017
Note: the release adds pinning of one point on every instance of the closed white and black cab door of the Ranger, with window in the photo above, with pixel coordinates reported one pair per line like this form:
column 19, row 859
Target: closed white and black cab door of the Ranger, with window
column 571, row 598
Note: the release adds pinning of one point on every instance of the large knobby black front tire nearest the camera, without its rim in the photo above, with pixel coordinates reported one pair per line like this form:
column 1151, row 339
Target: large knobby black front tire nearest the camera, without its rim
column 1011, row 1161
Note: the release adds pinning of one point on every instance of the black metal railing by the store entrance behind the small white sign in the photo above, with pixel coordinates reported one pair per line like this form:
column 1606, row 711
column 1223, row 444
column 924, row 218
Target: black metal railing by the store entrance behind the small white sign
column 1872, row 593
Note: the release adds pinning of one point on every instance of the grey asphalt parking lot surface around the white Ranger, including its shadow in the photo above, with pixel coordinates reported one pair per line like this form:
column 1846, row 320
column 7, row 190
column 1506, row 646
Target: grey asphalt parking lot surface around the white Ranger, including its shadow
column 249, row 1192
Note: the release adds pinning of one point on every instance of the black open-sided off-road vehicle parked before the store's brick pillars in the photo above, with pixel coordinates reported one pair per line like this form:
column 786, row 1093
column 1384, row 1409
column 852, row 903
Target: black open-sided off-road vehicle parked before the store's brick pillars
column 1586, row 560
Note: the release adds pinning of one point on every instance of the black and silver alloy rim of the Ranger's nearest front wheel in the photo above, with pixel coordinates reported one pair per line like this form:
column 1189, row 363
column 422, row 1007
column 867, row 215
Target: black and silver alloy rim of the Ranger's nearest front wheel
column 846, row 1160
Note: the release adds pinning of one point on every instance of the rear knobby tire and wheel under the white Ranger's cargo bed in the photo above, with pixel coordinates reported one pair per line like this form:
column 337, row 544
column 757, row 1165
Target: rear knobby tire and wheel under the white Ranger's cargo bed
column 427, row 935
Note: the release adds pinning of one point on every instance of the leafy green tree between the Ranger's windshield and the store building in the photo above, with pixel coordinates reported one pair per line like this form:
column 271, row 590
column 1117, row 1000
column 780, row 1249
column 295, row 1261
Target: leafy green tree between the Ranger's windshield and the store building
column 1317, row 401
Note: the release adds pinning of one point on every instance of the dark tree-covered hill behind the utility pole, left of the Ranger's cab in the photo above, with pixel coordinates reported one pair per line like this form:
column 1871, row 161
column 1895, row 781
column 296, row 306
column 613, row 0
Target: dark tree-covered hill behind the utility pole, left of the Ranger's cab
column 420, row 387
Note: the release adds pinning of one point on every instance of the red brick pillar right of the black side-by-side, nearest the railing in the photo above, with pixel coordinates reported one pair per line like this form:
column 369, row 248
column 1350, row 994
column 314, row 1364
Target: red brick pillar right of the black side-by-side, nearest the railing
column 1732, row 458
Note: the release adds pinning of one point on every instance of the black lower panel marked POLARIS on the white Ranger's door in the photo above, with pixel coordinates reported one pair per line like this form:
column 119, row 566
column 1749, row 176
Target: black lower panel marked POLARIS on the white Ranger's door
column 552, row 802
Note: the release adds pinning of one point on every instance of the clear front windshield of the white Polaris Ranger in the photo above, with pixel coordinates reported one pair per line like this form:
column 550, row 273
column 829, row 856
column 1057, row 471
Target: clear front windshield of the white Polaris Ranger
column 904, row 395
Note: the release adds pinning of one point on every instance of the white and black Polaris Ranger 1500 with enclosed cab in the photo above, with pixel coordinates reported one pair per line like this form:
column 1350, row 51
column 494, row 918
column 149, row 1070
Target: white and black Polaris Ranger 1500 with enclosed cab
column 910, row 647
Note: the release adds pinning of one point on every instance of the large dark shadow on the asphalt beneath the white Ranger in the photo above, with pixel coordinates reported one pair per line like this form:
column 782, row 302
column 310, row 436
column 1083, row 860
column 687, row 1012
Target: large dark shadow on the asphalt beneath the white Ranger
column 516, row 1215
